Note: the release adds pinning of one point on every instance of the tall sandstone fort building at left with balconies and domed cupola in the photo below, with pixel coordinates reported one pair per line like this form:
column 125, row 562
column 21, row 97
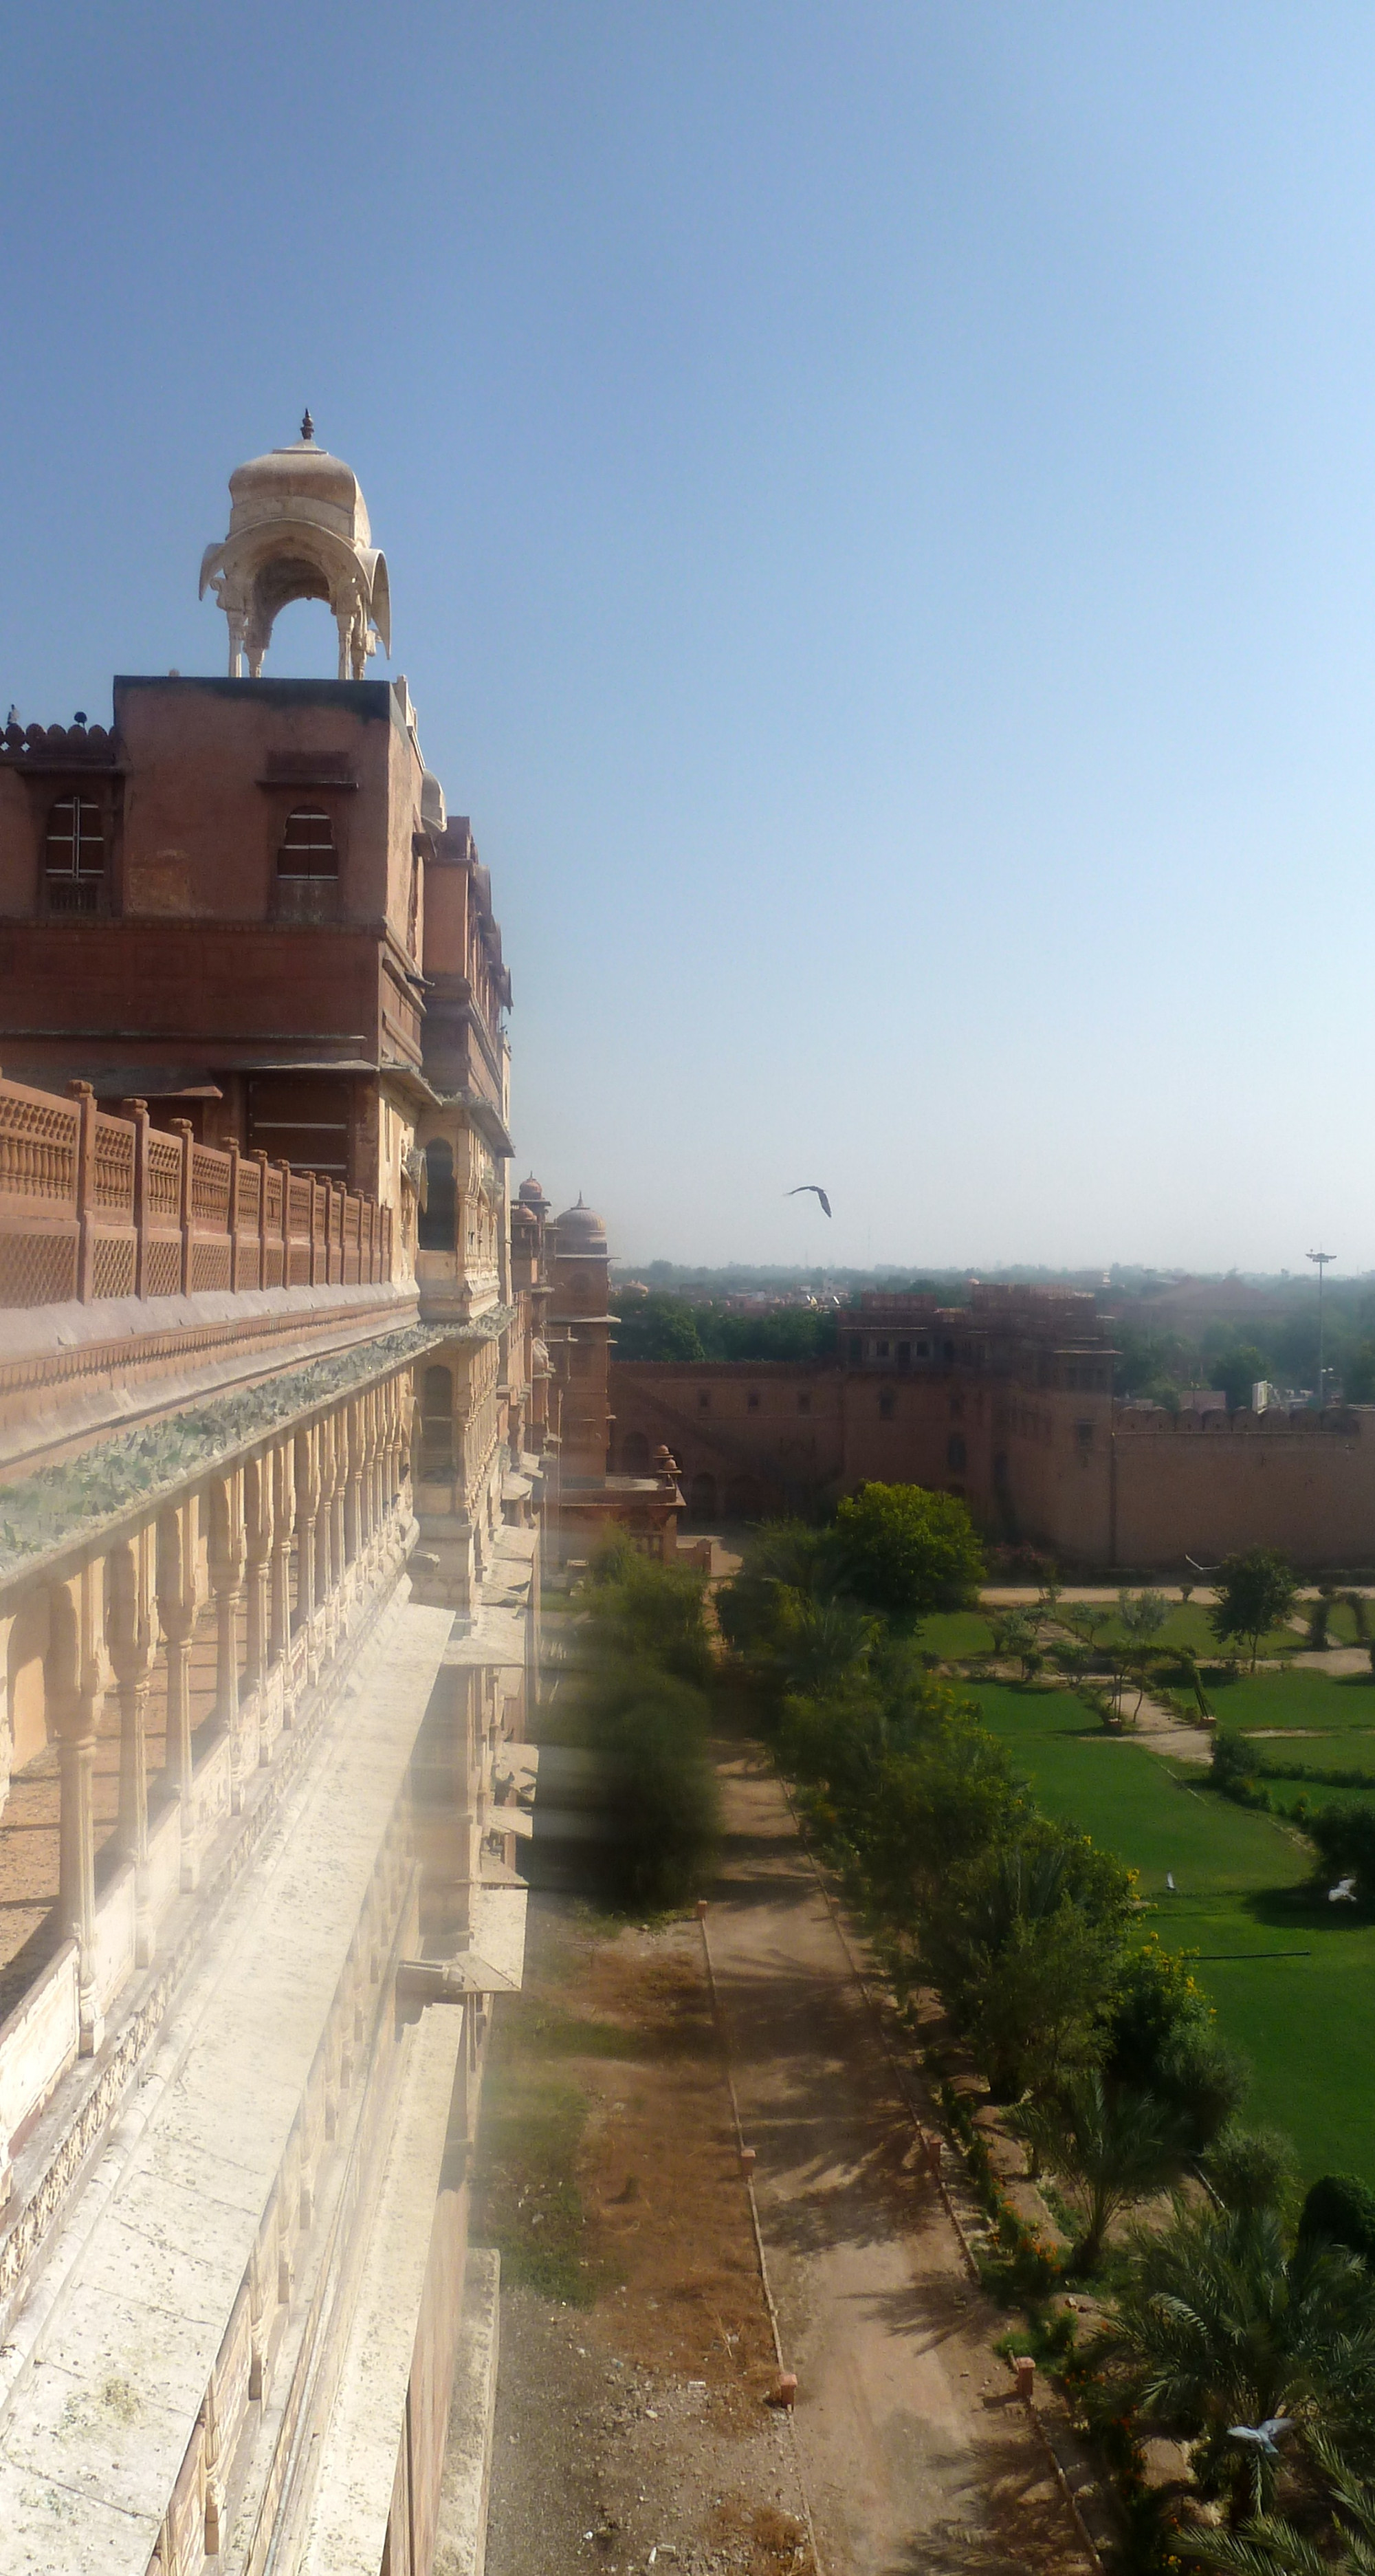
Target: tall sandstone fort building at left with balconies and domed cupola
column 279, row 1423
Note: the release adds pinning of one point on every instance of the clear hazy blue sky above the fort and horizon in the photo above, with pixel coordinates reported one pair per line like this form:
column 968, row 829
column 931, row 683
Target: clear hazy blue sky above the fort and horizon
column 882, row 529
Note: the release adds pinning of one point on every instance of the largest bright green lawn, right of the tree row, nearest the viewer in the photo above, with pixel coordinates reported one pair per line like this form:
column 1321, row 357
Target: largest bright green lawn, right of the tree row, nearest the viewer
column 1294, row 1980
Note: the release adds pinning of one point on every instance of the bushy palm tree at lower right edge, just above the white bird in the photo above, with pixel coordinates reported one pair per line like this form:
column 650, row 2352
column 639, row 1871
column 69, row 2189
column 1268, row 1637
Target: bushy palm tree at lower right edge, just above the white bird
column 1222, row 2325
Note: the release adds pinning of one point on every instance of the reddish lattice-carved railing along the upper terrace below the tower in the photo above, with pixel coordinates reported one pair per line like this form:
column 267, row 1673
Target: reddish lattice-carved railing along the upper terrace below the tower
column 102, row 1207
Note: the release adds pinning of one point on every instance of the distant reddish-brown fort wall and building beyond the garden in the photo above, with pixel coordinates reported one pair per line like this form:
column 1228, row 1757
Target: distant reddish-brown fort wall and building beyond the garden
column 1006, row 1403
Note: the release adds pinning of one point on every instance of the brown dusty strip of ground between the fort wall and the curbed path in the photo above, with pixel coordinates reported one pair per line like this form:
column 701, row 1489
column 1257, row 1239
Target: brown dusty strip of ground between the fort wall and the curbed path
column 632, row 2423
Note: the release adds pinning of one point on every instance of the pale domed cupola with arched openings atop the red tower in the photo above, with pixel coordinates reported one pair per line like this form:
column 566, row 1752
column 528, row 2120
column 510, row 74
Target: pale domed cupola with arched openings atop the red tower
column 300, row 532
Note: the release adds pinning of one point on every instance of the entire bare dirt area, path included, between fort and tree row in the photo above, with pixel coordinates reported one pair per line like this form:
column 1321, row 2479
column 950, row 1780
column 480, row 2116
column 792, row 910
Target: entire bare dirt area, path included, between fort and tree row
column 637, row 2356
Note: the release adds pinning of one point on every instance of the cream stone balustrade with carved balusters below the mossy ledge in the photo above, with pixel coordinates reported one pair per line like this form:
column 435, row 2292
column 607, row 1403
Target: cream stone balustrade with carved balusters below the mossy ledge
column 161, row 1683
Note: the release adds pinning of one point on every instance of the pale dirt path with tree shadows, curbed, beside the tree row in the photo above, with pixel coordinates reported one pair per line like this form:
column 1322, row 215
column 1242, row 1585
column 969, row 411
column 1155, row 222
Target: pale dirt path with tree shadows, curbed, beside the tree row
column 913, row 2448
